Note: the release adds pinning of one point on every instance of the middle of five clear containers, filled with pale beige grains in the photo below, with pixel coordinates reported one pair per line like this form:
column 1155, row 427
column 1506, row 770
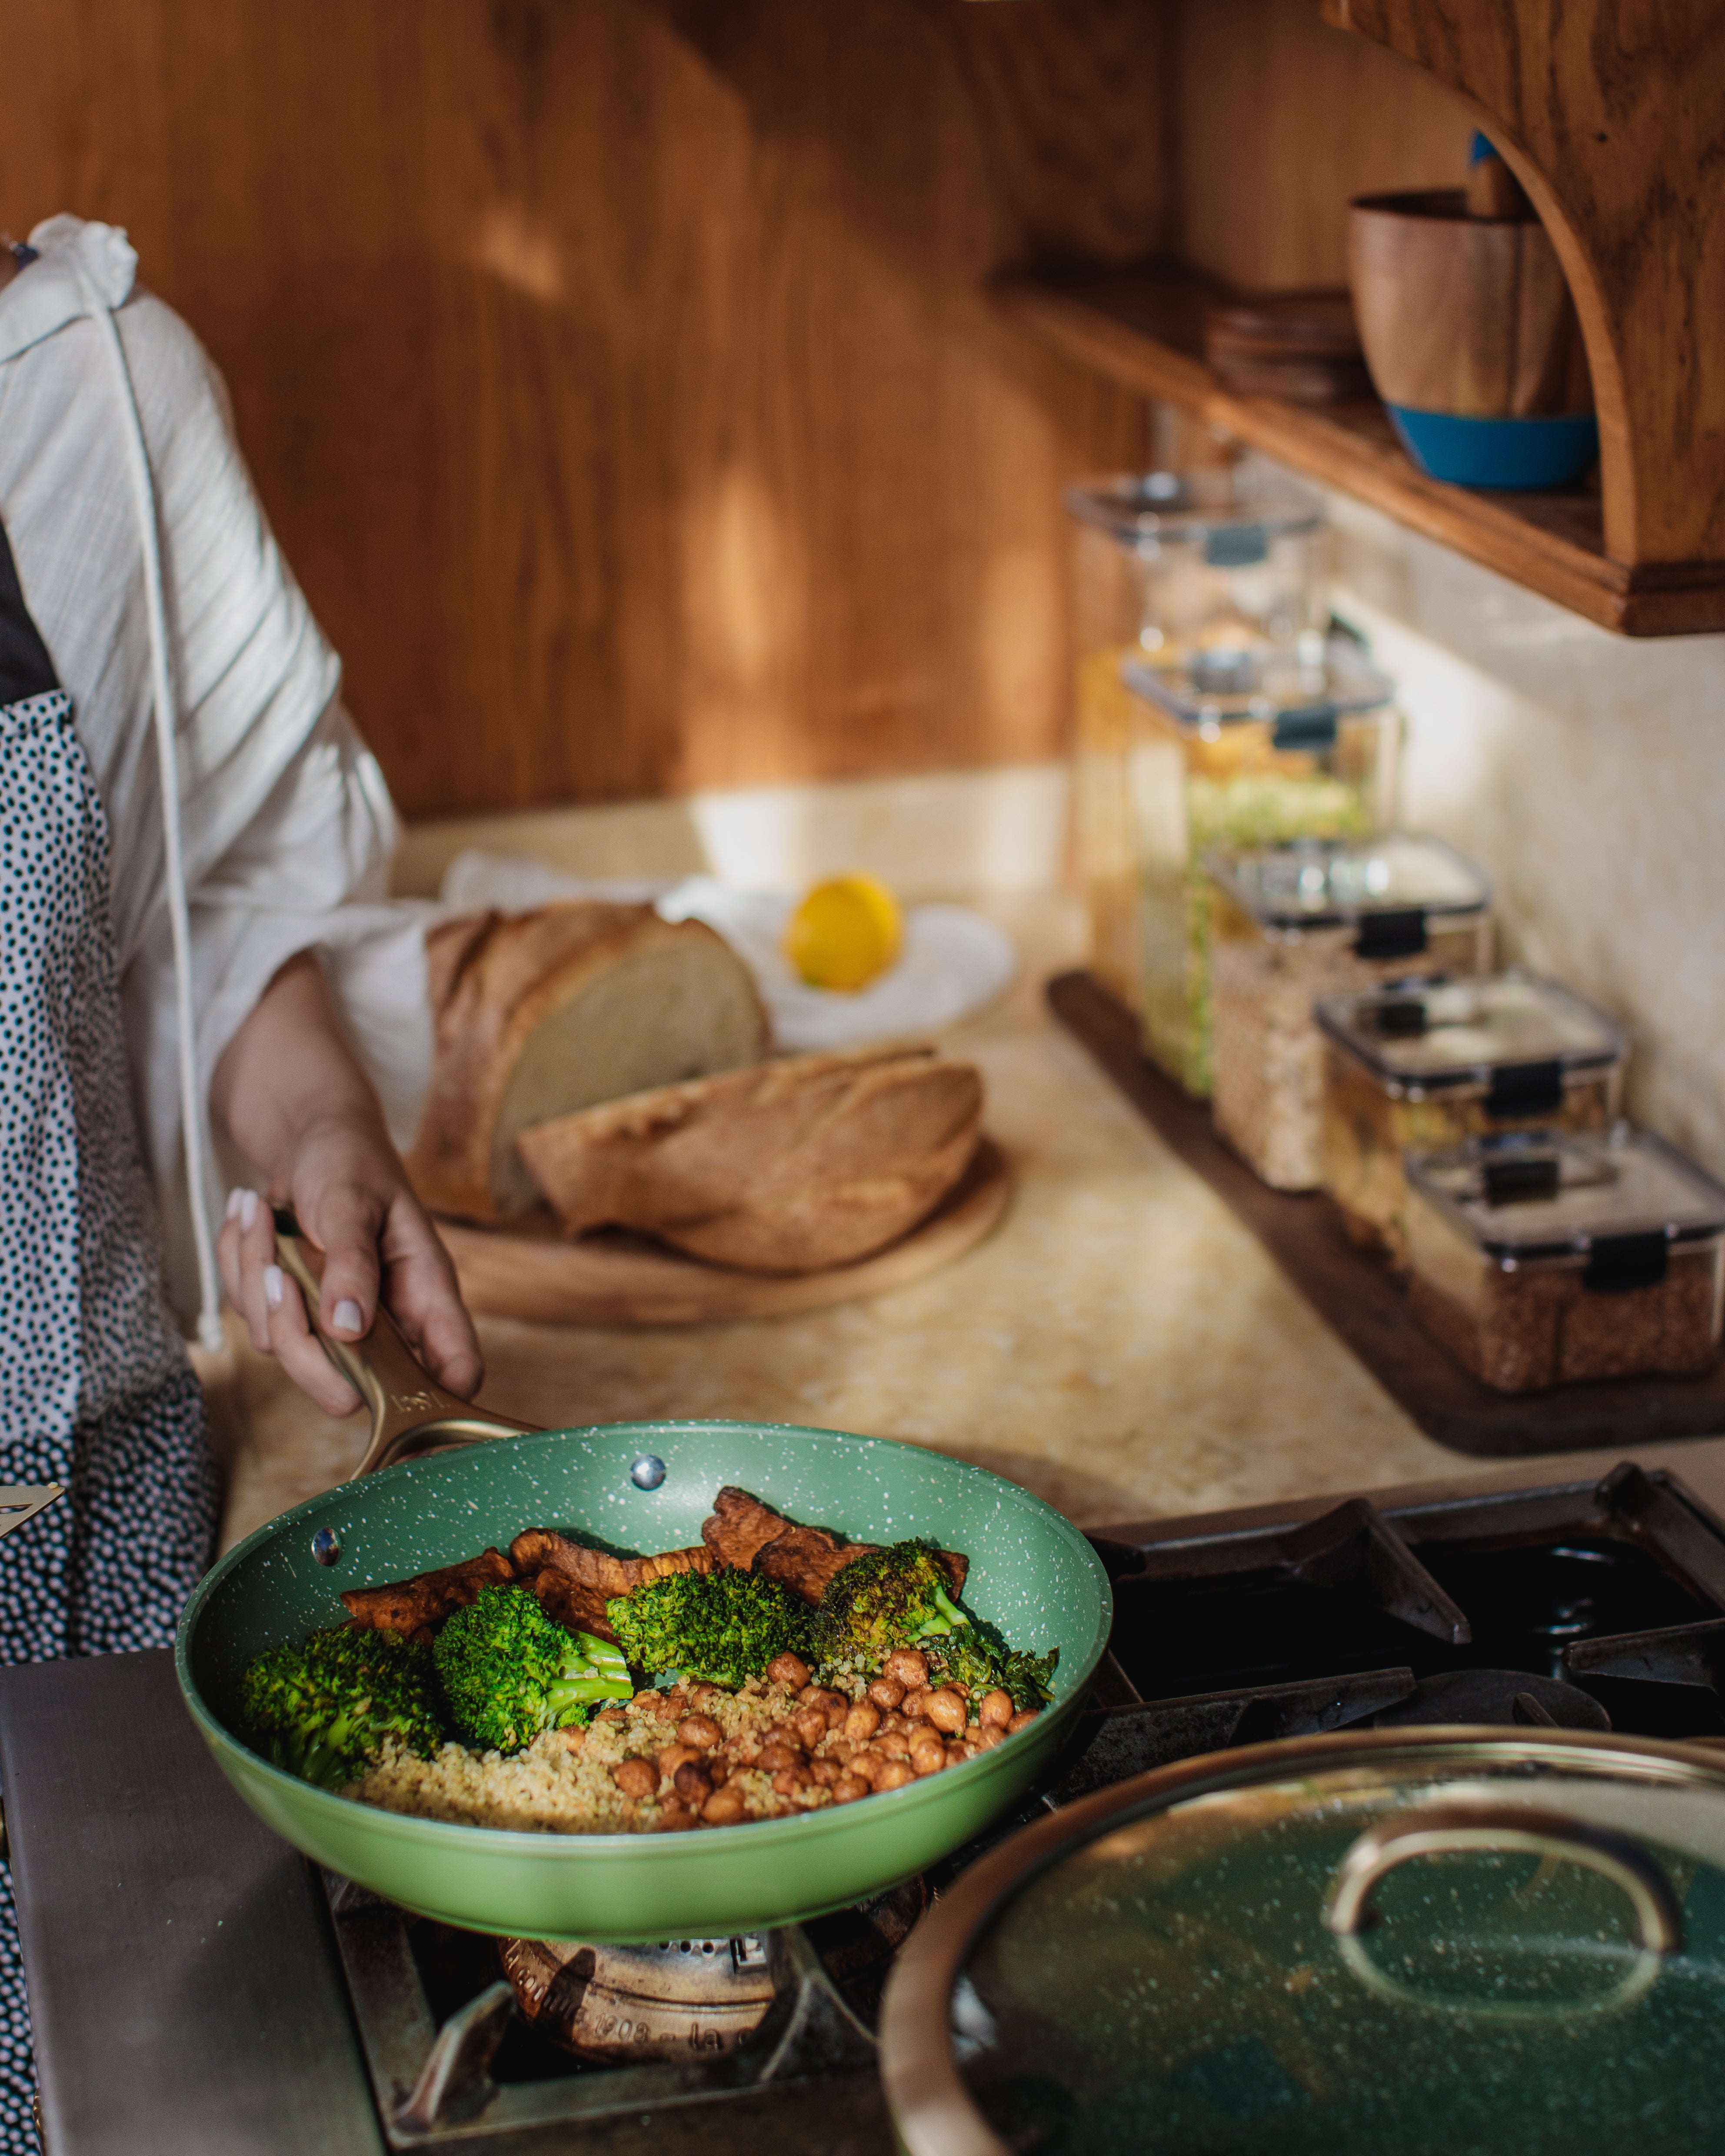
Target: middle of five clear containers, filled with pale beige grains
column 1321, row 920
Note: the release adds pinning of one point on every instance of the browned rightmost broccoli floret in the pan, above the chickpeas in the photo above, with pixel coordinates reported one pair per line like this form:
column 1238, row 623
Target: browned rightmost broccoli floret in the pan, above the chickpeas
column 900, row 1599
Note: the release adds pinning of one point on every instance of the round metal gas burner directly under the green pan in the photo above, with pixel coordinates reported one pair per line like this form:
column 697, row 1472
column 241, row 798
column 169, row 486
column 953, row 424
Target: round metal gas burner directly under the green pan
column 622, row 2006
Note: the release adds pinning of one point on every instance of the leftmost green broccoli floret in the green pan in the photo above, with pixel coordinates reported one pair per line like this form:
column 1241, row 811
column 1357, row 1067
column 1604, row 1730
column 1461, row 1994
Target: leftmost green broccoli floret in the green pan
column 327, row 1706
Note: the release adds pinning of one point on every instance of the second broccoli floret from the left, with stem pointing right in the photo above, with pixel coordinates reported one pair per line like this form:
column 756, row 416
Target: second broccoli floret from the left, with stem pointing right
column 510, row 1672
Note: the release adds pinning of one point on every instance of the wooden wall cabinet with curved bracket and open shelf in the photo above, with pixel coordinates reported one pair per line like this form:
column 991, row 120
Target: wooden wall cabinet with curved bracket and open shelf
column 1614, row 120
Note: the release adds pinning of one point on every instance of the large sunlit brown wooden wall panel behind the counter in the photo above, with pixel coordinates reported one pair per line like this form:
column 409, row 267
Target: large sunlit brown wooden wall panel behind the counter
column 620, row 372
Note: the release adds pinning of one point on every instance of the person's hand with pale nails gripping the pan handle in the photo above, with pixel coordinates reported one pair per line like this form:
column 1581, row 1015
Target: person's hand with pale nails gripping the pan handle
column 303, row 1111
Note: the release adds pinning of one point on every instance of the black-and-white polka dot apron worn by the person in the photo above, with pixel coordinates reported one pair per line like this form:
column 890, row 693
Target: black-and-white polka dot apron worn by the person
column 94, row 1381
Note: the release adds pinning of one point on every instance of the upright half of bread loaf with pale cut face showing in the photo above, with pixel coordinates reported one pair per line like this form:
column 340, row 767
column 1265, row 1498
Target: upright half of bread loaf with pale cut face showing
column 549, row 1012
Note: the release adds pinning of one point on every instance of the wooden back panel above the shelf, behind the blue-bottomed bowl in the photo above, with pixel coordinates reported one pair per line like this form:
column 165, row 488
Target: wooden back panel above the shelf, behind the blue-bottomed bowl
column 1280, row 122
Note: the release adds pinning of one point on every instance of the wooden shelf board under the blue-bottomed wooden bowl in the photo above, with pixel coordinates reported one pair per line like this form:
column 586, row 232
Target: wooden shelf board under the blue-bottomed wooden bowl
column 1144, row 329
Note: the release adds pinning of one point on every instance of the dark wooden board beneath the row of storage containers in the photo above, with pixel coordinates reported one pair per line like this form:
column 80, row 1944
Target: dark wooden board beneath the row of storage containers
column 1364, row 1303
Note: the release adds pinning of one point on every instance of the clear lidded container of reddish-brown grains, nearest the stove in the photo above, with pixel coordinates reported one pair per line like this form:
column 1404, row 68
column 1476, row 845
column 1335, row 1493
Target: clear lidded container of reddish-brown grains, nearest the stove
column 1547, row 1258
